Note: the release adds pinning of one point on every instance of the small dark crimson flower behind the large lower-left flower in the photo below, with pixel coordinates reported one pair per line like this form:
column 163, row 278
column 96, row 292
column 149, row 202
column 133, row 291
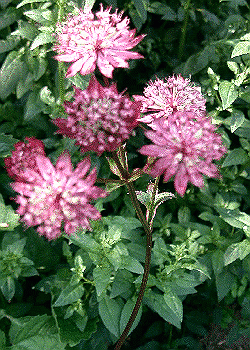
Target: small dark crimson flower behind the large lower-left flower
column 23, row 157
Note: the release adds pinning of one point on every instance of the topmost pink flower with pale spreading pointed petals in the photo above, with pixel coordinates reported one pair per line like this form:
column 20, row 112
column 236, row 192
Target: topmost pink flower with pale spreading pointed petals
column 102, row 40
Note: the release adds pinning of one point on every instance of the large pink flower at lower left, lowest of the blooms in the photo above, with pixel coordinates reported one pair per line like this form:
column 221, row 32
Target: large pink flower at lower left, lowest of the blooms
column 58, row 194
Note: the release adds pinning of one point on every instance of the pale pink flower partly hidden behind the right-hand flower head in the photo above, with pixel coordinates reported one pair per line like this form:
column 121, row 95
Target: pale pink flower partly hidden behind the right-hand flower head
column 163, row 98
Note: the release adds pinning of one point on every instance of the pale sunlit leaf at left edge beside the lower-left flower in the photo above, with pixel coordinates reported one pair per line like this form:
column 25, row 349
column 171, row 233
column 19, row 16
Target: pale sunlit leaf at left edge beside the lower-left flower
column 8, row 218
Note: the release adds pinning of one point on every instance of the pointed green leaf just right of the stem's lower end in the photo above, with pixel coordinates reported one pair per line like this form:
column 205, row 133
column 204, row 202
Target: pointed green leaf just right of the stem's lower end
column 157, row 303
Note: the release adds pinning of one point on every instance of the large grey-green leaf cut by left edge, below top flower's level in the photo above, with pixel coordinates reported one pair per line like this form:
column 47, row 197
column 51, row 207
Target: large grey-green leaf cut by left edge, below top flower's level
column 12, row 70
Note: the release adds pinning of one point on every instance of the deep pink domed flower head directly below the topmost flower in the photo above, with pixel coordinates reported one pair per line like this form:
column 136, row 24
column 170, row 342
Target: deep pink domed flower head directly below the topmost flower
column 99, row 118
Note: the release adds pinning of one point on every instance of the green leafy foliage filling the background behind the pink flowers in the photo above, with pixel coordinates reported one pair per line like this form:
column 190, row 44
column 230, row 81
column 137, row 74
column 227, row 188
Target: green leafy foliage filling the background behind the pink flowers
column 78, row 292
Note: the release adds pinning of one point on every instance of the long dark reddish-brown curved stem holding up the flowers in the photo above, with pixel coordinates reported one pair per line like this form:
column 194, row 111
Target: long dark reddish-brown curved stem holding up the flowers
column 147, row 229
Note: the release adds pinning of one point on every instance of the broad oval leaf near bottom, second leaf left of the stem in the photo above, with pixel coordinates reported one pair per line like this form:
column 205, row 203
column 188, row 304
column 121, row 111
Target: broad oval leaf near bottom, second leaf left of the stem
column 110, row 313
